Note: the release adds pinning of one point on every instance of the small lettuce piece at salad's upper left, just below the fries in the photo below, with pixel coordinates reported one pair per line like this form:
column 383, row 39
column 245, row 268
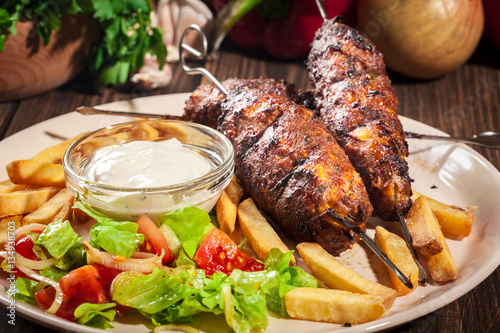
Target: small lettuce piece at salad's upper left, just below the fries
column 58, row 238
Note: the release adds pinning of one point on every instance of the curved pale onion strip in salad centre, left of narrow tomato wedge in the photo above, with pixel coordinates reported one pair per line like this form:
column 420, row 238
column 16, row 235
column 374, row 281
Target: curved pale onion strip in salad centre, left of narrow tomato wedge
column 140, row 262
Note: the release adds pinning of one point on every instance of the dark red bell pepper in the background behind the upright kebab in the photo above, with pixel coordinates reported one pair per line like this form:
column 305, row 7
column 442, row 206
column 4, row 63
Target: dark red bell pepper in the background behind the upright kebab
column 286, row 33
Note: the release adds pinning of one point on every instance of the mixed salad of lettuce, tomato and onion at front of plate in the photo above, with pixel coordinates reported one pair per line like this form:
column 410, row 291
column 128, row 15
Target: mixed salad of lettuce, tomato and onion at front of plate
column 168, row 273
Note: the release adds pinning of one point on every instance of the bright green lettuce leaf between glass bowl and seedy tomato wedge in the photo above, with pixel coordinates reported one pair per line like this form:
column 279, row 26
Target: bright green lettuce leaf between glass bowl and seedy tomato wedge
column 189, row 224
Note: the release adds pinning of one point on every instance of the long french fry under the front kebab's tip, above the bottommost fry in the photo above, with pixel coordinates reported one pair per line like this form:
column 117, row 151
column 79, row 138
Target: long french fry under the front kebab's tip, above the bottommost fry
column 326, row 268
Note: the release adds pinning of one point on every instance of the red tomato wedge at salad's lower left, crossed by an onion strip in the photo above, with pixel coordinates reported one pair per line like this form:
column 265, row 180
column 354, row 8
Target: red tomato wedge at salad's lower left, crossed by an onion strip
column 79, row 286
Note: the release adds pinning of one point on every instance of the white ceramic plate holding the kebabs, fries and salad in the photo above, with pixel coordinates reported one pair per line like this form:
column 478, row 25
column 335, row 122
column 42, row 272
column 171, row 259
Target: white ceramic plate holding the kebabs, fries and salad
column 452, row 173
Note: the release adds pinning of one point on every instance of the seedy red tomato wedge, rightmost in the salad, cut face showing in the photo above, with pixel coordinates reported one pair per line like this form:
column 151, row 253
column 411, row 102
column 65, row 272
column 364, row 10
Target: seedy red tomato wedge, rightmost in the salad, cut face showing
column 219, row 252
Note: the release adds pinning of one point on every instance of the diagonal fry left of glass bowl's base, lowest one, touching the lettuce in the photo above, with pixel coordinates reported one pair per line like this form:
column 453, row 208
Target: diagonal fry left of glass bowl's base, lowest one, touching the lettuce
column 49, row 211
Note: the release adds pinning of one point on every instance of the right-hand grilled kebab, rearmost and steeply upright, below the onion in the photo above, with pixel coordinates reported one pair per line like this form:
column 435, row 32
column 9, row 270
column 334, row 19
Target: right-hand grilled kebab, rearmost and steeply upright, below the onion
column 355, row 99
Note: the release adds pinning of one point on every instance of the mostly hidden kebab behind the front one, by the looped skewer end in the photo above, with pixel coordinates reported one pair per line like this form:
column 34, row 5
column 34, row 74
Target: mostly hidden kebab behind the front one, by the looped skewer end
column 204, row 105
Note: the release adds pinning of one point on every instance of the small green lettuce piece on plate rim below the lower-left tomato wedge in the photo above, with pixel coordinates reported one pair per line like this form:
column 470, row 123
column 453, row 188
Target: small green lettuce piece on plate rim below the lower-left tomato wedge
column 95, row 315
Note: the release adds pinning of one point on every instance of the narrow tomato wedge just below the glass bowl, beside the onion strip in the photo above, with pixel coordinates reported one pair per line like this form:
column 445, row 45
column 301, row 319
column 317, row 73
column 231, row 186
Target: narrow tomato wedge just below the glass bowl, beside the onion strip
column 154, row 238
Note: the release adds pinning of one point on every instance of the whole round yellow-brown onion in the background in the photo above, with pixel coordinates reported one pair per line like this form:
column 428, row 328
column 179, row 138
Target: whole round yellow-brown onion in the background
column 423, row 39
